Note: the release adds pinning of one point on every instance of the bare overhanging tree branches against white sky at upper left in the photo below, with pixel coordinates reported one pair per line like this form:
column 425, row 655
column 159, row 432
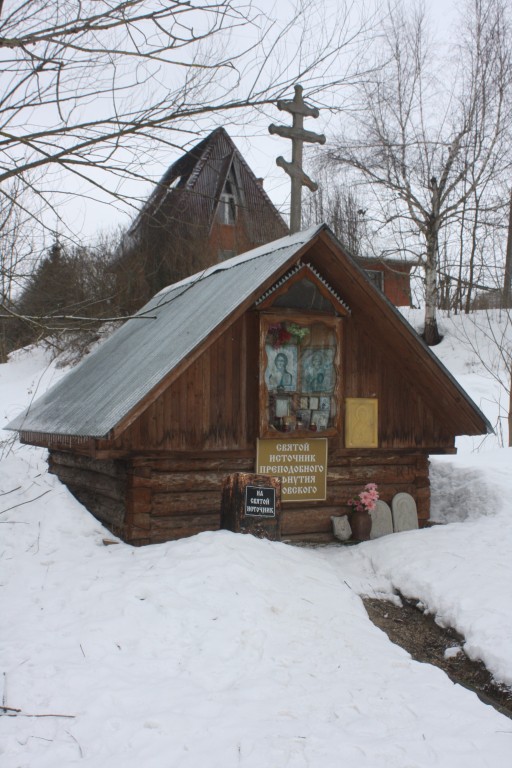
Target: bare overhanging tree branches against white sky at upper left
column 92, row 88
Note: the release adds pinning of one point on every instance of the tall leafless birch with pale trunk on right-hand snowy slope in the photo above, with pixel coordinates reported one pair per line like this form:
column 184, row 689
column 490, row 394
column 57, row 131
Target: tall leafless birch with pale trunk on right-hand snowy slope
column 433, row 143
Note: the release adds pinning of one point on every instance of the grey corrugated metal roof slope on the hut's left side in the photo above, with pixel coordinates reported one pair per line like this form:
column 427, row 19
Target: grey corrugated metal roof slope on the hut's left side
column 94, row 397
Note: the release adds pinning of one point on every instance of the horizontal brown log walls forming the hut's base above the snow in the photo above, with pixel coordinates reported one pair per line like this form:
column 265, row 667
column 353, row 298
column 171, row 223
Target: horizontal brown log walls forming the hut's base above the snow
column 150, row 500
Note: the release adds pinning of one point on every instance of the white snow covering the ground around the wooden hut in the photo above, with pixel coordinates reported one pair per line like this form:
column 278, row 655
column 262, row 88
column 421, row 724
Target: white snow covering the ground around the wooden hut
column 223, row 650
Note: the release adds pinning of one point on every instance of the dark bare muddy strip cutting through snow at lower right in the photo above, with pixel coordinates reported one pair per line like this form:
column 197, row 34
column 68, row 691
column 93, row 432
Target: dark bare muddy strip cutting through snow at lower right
column 419, row 634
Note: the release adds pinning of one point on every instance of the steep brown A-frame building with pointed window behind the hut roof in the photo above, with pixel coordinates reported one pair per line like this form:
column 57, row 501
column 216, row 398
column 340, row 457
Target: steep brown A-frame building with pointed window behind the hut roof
column 208, row 207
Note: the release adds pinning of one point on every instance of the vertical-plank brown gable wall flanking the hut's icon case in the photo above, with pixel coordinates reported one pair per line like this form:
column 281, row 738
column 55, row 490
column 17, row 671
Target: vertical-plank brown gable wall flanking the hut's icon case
column 213, row 405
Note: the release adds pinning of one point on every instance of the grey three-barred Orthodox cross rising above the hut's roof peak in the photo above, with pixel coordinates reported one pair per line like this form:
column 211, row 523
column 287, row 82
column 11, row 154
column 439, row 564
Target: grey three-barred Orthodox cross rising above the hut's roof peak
column 299, row 109
